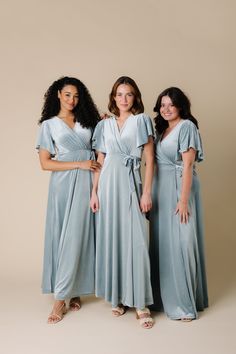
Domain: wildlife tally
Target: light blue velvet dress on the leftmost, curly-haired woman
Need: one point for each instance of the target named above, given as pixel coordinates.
(69, 252)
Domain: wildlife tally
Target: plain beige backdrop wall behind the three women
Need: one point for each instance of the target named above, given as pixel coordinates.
(159, 43)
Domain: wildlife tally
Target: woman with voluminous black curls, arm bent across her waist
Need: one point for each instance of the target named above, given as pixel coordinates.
(69, 117)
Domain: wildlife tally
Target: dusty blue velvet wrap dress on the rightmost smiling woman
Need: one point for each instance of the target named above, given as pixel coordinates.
(179, 247)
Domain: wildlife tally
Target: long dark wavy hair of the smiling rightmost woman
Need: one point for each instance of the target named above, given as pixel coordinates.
(180, 101)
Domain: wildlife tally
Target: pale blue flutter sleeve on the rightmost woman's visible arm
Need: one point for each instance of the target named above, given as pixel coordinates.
(189, 137)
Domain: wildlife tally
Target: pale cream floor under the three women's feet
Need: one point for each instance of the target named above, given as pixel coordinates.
(23, 328)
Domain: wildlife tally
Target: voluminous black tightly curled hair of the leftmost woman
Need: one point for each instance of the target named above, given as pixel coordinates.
(85, 112)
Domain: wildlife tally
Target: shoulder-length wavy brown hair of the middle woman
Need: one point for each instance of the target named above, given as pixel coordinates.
(138, 104)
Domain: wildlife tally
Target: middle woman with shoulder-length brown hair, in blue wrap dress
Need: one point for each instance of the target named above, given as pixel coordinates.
(122, 260)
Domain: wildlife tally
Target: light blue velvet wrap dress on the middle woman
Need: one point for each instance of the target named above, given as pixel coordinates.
(122, 259)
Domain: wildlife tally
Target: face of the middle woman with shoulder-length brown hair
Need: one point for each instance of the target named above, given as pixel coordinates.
(124, 98)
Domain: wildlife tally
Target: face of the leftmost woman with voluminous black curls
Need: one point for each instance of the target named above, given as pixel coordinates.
(69, 97)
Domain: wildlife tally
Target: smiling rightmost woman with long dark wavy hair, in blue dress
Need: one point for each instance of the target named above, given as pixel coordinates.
(176, 217)
